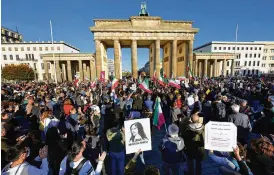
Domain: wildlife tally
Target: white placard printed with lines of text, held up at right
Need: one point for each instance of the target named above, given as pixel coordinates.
(220, 136)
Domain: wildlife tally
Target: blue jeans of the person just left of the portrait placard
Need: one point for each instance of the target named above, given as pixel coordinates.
(117, 163)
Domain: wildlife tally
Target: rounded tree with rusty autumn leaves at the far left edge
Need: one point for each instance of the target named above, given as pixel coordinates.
(19, 72)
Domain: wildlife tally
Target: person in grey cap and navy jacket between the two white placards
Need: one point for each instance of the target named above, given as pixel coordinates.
(172, 150)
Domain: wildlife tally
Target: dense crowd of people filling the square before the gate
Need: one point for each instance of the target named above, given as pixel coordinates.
(67, 128)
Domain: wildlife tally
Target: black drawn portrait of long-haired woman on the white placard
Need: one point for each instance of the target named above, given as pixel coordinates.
(137, 133)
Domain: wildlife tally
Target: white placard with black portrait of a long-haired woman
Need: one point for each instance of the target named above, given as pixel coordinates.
(137, 135)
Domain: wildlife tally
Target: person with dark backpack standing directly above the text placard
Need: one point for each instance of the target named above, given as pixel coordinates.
(218, 110)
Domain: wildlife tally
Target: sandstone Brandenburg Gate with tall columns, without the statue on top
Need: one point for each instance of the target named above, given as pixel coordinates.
(175, 37)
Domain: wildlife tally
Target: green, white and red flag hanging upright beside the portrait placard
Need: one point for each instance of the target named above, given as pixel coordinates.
(158, 116)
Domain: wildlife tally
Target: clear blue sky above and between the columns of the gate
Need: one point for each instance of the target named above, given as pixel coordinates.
(71, 19)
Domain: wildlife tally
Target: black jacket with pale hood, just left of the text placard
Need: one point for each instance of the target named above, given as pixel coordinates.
(194, 141)
